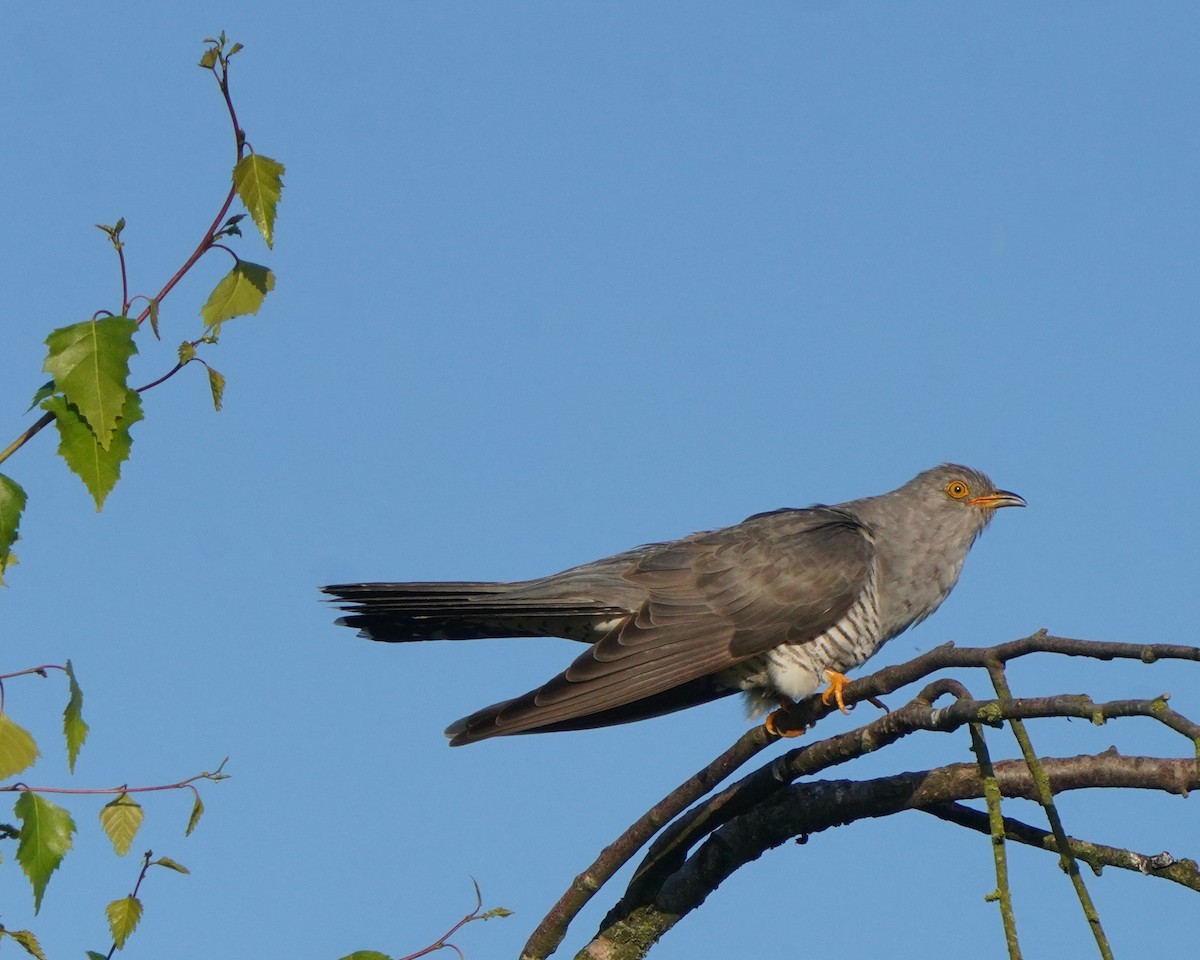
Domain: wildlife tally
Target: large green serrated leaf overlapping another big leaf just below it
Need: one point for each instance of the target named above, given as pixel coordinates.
(91, 365)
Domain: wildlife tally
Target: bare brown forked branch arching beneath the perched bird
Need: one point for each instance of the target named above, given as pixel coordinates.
(674, 880)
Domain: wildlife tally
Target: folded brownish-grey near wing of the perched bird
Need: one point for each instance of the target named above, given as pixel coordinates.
(712, 601)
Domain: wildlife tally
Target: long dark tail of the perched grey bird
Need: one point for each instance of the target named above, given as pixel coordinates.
(403, 613)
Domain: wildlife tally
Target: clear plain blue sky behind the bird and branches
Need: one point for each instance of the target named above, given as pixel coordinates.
(556, 280)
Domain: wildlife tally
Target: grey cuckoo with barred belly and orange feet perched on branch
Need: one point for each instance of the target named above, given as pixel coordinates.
(772, 608)
